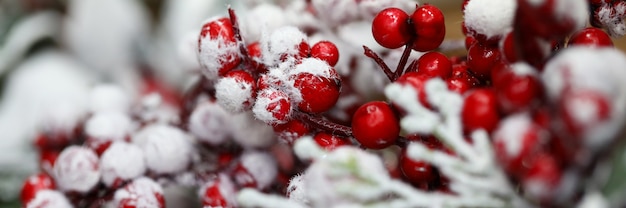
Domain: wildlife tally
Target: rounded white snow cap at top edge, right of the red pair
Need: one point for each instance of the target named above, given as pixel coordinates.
(490, 18)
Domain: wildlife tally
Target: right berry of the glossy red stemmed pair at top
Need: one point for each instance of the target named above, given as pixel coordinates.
(429, 26)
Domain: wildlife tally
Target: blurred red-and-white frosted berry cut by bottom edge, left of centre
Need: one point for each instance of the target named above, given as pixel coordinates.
(219, 192)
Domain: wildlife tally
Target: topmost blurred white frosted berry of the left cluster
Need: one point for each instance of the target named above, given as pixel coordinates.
(109, 97)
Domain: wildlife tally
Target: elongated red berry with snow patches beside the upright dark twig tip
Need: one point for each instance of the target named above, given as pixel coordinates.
(218, 49)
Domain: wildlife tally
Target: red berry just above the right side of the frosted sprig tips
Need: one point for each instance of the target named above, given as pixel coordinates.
(480, 110)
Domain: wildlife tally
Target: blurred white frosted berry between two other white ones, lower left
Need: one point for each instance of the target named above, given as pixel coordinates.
(120, 162)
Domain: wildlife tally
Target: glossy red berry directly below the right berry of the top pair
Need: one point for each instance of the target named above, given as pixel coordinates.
(434, 64)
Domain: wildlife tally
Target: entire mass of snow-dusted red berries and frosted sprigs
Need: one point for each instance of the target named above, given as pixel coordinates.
(277, 118)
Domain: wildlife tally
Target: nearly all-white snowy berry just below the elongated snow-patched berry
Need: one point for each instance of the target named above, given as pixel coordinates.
(234, 95)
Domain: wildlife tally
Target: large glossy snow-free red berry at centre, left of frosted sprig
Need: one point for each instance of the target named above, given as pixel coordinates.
(375, 125)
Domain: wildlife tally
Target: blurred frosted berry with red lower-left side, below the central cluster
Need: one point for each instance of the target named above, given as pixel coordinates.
(255, 169)
